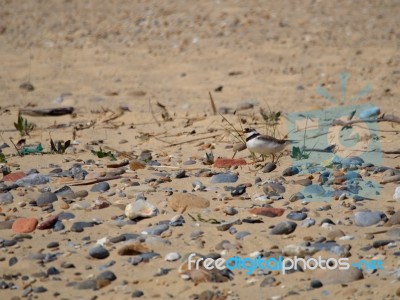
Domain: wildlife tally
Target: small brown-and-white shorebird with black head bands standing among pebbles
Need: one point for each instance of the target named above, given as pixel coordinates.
(263, 144)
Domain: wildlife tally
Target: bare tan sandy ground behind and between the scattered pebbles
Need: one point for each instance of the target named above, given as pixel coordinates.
(130, 53)
